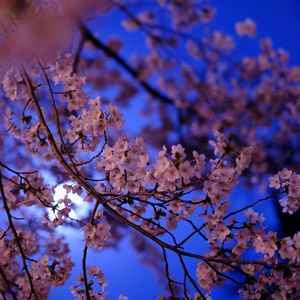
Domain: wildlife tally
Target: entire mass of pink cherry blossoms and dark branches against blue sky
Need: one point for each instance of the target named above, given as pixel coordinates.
(182, 198)
